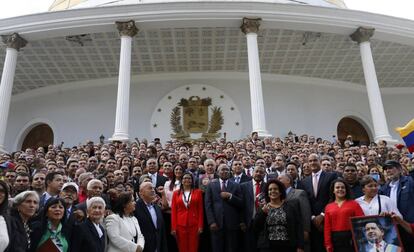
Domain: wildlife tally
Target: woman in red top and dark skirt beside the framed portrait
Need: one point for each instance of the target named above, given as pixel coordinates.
(338, 237)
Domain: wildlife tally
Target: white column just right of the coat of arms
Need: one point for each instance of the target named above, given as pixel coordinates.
(250, 27)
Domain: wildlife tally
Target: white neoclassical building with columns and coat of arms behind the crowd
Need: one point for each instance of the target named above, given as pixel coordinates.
(157, 68)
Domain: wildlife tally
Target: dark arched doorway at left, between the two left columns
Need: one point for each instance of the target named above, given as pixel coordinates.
(39, 136)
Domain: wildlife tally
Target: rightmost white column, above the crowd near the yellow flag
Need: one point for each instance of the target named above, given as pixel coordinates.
(362, 36)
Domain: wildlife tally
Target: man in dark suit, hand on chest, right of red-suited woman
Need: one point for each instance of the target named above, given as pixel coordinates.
(223, 202)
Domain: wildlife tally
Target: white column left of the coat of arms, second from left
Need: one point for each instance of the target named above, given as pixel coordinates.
(126, 30)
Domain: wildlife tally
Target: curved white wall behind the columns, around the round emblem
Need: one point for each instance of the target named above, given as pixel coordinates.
(85, 110)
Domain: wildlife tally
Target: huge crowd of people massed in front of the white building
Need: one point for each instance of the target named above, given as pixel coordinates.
(294, 194)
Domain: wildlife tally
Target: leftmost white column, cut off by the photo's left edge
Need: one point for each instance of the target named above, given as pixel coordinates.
(14, 42)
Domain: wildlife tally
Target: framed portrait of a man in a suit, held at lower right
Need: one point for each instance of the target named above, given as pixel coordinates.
(375, 234)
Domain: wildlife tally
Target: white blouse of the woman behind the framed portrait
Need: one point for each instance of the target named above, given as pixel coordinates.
(372, 208)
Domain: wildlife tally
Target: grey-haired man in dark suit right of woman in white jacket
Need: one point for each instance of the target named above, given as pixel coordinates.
(150, 220)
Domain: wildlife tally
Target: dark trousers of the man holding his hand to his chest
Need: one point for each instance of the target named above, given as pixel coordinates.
(224, 240)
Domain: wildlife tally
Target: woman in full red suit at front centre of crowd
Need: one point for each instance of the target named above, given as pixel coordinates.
(187, 215)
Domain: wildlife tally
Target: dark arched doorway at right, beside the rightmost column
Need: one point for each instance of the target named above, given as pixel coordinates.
(349, 126)
